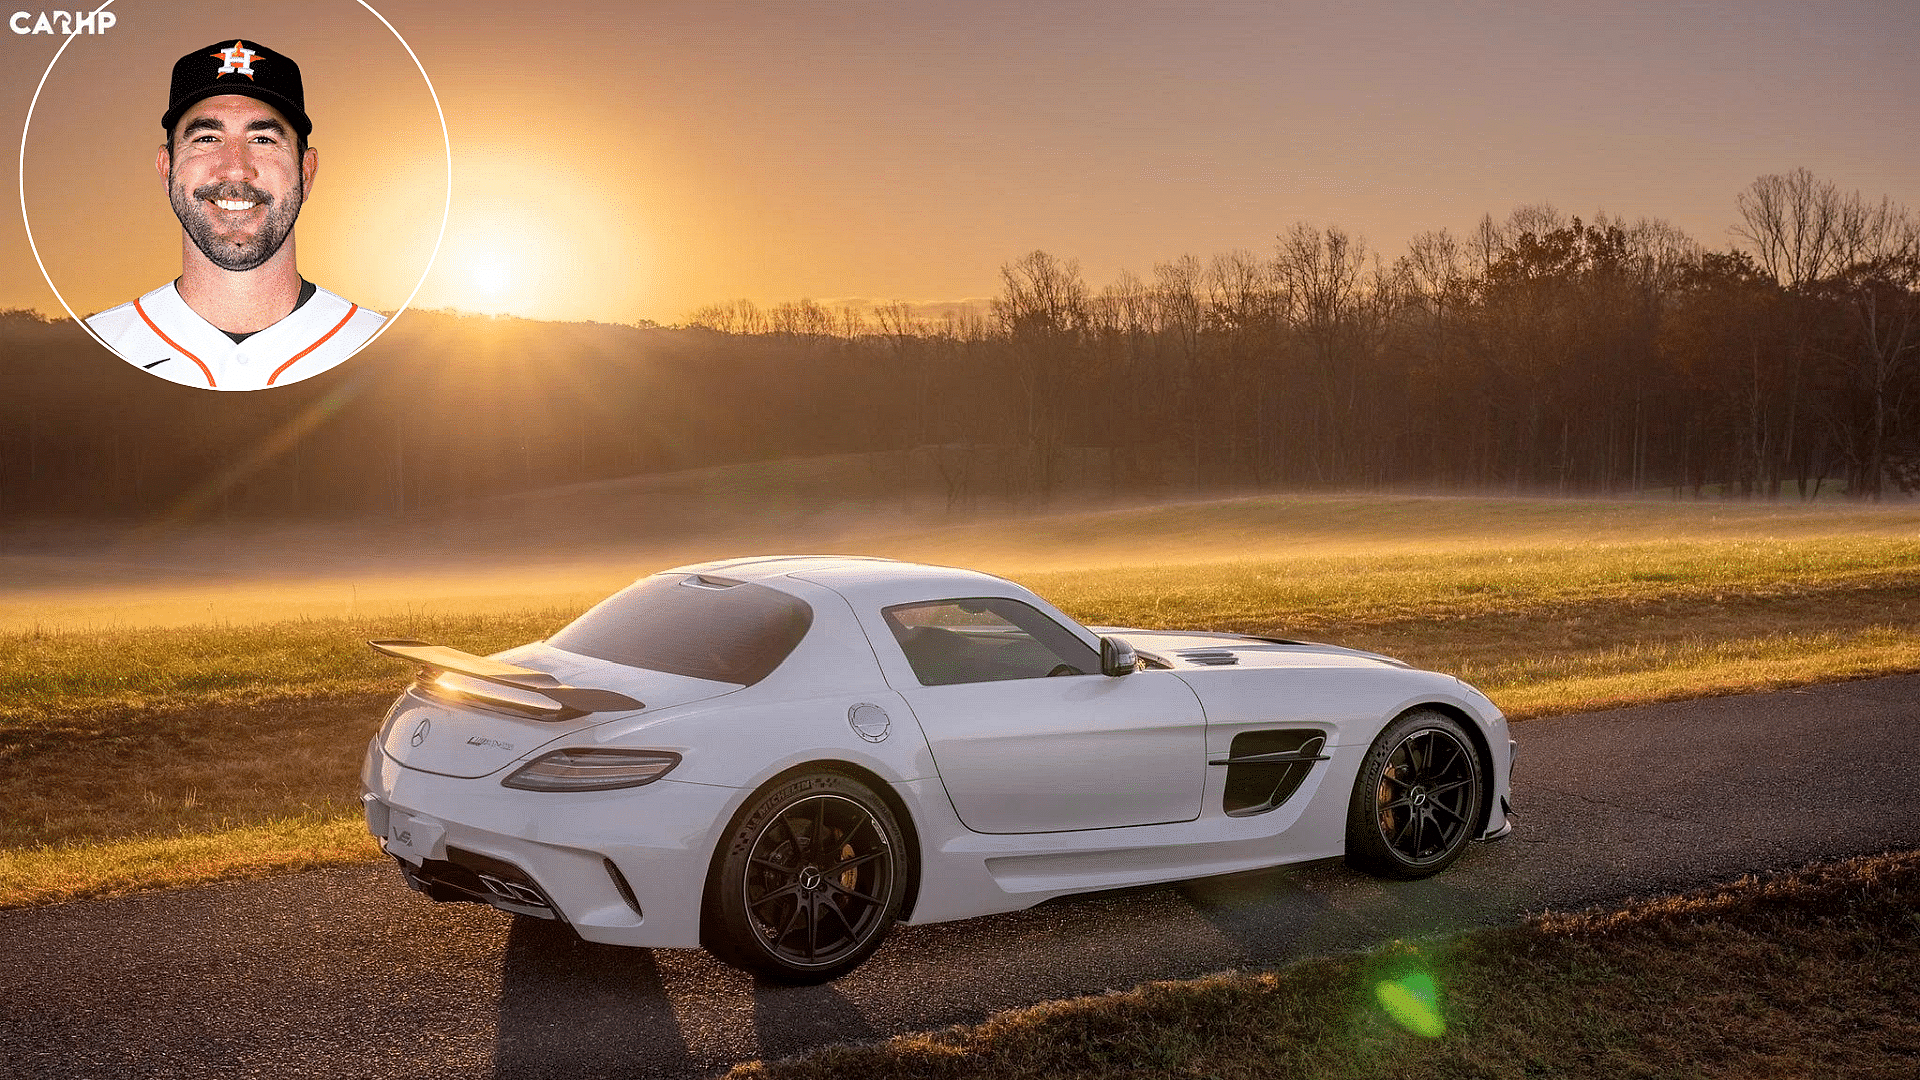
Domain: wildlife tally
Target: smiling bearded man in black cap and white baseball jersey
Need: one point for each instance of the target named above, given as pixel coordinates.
(237, 170)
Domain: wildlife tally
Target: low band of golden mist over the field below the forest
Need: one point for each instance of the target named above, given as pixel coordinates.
(571, 547)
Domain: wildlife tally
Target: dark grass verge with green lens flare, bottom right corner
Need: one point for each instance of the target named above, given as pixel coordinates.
(1787, 977)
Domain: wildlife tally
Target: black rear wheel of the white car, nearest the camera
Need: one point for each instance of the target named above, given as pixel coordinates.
(809, 879)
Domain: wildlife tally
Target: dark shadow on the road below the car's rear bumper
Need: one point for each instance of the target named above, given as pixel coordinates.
(571, 1008)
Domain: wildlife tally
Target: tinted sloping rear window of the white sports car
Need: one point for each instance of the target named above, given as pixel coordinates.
(692, 626)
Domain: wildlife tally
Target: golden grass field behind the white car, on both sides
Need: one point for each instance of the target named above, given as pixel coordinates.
(172, 752)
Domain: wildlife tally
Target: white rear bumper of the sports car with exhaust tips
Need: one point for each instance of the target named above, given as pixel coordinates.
(631, 873)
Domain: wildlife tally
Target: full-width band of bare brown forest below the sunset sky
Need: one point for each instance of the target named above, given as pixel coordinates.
(1537, 355)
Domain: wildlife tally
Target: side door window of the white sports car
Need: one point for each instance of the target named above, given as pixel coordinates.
(986, 641)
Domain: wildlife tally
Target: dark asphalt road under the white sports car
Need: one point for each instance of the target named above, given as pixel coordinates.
(347, 973)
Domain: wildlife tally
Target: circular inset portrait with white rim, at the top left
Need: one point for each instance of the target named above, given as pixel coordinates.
(235, 201)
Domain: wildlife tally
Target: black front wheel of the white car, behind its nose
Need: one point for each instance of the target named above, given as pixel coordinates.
(1418, 798)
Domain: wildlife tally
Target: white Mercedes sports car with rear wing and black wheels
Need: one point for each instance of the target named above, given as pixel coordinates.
(780, 758)
